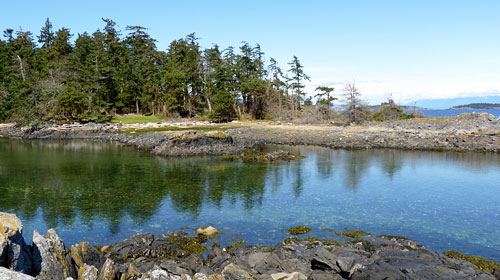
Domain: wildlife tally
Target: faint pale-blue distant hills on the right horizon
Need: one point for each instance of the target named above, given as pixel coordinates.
(451, 102)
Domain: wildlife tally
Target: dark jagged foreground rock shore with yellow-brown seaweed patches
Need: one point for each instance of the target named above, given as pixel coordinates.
(181, 256)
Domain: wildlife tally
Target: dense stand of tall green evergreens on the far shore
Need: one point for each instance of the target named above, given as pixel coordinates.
(51, 77)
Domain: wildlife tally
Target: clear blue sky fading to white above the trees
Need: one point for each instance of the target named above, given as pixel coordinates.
(405, 50)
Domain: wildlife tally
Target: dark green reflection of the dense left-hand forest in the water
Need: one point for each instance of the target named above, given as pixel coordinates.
(111, 182)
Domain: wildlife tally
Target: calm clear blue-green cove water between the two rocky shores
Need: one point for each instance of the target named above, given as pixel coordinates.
(103, 193)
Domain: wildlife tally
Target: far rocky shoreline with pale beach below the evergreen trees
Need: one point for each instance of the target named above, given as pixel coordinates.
(466, 132)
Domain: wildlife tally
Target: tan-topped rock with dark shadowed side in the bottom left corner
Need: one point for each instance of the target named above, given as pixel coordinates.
(14, 254)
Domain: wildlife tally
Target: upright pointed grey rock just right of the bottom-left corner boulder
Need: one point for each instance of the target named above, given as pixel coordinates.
(51, 260)
